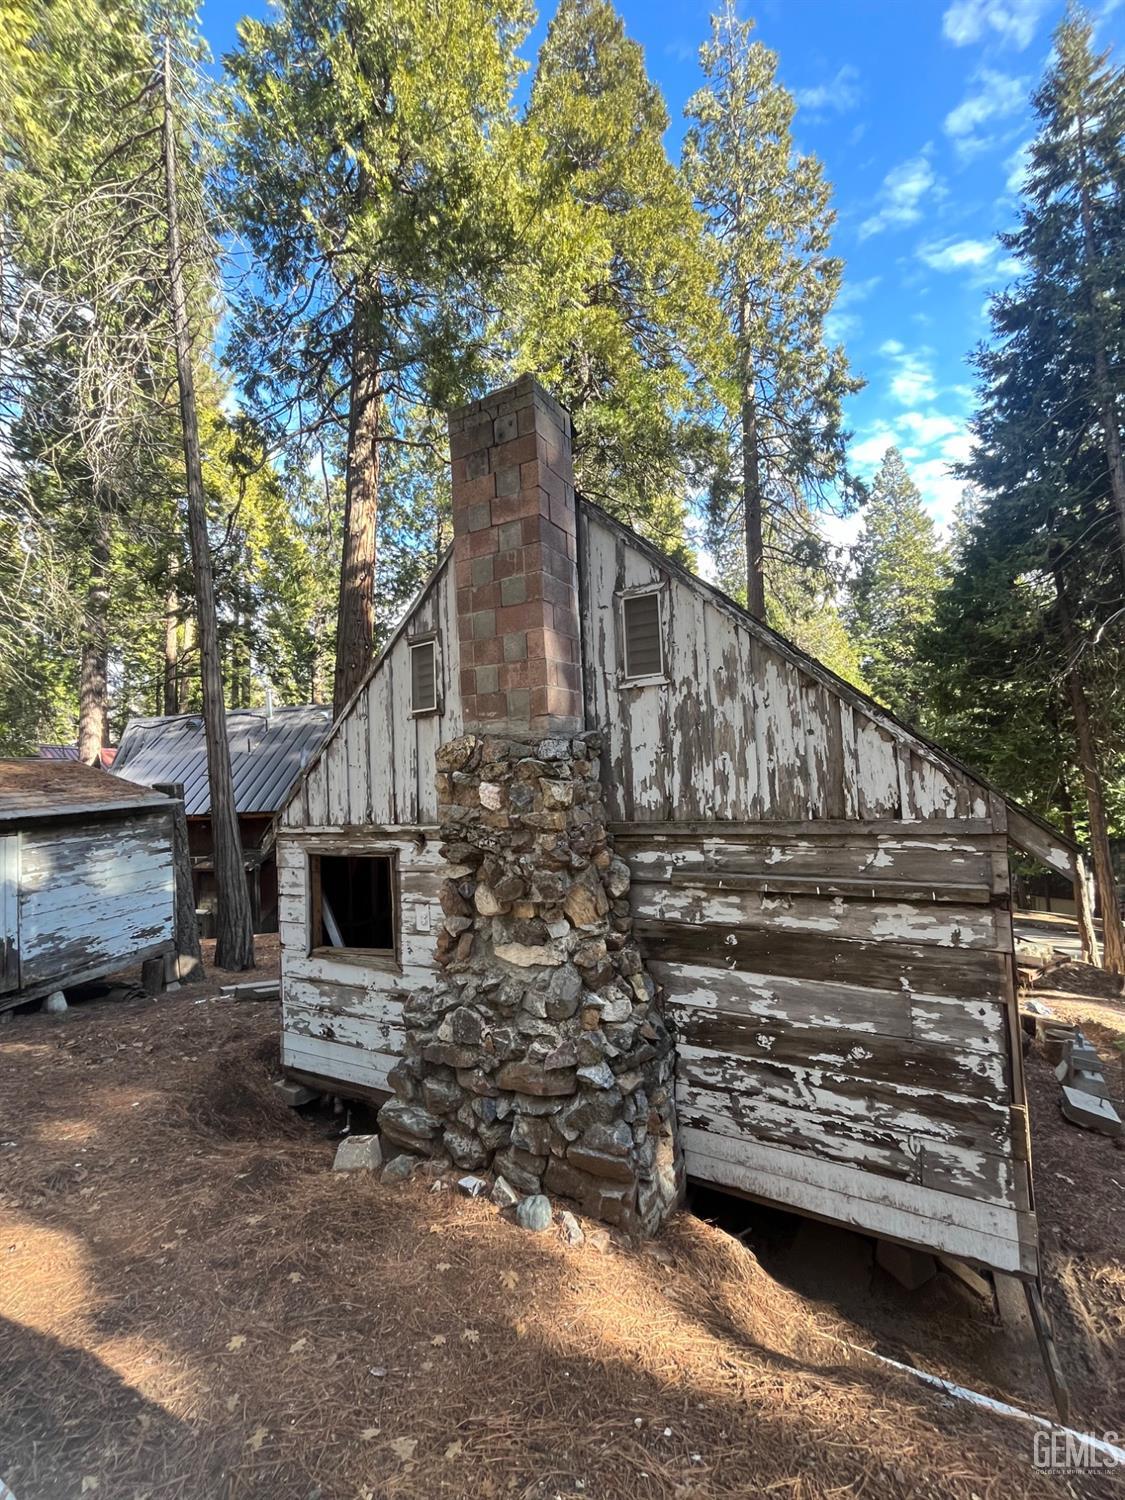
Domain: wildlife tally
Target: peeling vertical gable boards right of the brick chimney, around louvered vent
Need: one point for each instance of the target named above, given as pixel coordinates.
(743, 728)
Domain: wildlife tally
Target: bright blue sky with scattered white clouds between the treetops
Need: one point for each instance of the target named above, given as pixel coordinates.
(919, 110)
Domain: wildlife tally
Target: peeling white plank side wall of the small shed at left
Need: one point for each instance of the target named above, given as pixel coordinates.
(92, 893)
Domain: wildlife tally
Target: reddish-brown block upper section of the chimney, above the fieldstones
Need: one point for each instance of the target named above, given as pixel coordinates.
(515, 548)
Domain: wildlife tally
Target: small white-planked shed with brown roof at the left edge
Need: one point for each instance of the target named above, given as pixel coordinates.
(86, 877)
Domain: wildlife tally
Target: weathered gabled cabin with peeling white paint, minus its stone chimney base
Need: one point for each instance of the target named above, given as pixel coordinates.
(821, 893)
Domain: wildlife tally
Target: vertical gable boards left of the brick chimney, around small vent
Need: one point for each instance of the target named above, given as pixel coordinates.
(377, 766)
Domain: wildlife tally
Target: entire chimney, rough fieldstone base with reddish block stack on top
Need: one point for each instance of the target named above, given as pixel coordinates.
(542, 1055)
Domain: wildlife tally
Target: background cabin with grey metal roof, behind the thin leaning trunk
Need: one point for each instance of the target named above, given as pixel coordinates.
(269, 751)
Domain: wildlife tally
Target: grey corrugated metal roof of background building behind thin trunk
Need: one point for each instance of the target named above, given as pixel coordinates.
(268, 754)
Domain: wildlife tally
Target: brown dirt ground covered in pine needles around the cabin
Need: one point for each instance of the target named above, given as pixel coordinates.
(194, 1306)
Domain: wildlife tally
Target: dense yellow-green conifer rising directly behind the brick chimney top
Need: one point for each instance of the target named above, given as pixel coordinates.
(611, 305)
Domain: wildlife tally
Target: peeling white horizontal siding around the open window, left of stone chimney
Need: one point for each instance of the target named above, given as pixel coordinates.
(343, 1018)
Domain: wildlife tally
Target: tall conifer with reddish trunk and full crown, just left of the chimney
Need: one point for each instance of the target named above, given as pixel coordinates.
(368, 182)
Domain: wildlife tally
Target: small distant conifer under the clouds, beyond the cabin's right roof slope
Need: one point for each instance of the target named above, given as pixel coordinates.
(901, 568)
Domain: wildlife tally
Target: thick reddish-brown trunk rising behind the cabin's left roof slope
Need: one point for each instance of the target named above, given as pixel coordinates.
(356, 605)
